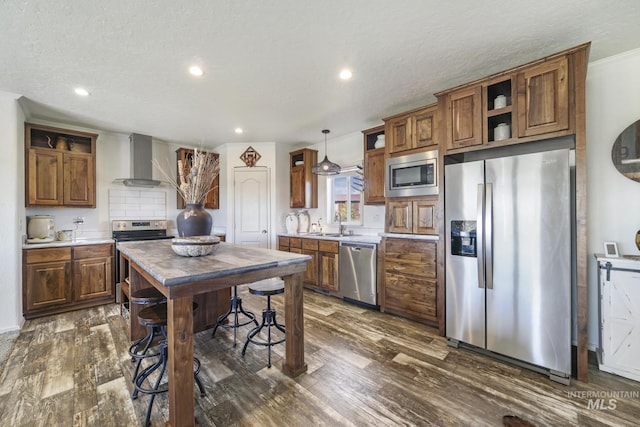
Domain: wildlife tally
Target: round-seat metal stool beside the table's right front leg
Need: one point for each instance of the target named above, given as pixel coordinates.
(268, 288)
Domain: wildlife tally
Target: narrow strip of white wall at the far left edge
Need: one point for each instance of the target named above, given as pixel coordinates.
(11, 211)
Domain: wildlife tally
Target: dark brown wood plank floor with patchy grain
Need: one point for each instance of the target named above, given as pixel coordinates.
(365, 368)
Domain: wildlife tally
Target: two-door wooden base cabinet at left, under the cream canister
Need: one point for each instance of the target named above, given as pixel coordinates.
(68, 278)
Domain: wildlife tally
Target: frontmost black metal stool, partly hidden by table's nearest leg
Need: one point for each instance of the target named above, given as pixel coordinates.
(155, 316)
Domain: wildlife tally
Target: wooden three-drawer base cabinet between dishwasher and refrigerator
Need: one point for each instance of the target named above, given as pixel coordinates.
(410, 280)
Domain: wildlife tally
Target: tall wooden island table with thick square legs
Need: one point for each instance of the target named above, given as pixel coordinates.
(181, 278)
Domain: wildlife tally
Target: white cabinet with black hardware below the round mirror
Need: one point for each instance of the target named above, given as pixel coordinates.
(619, 316)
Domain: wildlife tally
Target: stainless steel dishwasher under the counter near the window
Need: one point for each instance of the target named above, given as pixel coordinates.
(358, 272)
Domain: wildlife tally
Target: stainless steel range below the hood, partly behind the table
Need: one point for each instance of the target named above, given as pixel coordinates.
(131, 231)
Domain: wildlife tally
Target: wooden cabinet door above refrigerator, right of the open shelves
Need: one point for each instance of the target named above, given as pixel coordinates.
(543, 98)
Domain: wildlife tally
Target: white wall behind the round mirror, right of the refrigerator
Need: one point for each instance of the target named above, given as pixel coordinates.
(613, 103)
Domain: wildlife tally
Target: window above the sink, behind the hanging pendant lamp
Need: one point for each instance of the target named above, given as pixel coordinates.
(344, 194)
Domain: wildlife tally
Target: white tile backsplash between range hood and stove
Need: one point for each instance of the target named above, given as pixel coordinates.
(137, 204)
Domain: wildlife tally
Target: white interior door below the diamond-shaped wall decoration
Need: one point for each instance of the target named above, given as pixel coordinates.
(251, 207)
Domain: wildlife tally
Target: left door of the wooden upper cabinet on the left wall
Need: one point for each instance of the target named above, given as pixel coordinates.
(45, 178)
